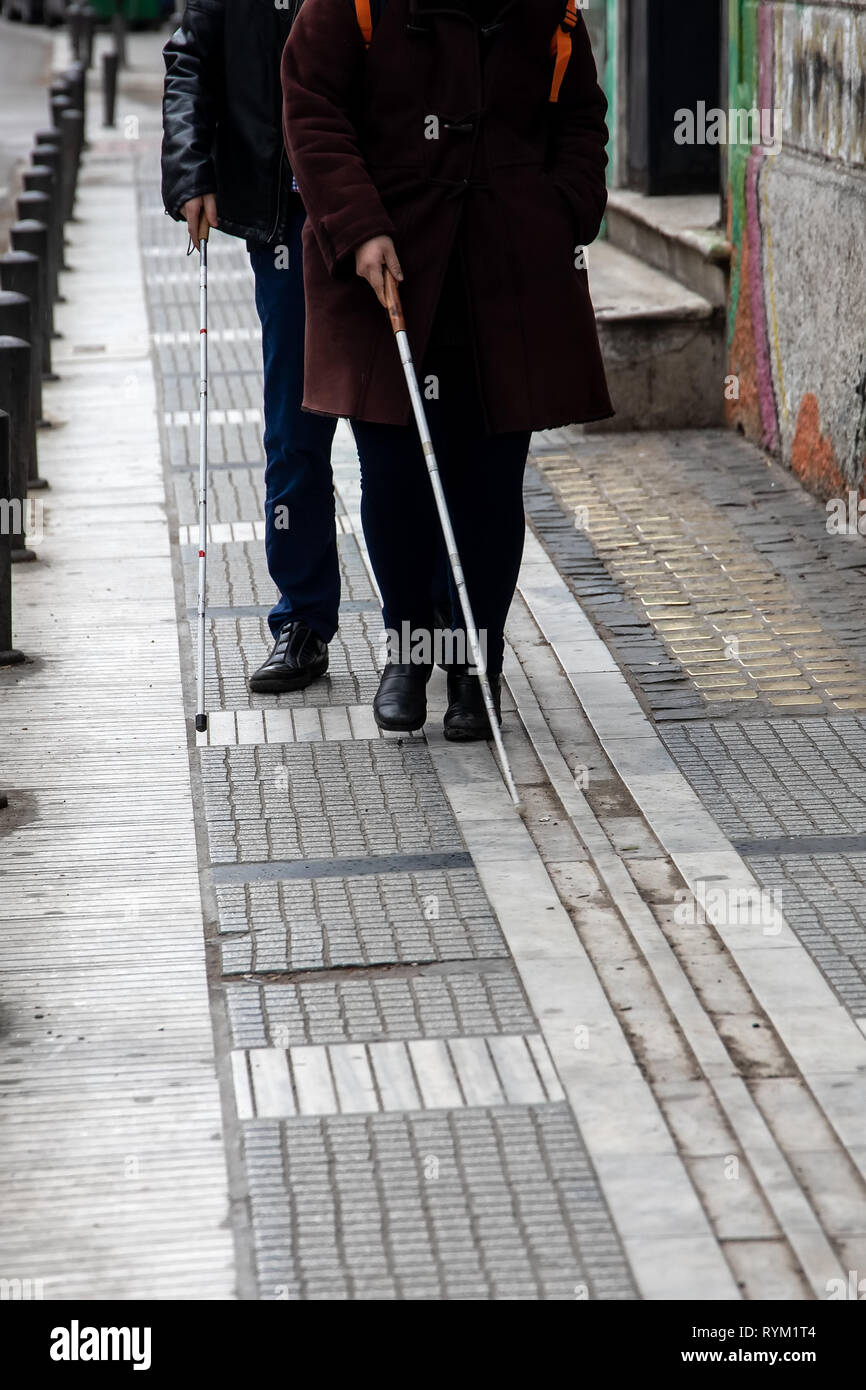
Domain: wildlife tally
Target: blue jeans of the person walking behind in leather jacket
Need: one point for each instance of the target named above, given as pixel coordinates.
(301, 533)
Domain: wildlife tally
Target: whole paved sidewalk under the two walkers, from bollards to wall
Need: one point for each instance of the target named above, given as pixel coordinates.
(300, 1011)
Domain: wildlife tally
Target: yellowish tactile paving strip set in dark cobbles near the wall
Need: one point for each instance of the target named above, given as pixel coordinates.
(724, 612)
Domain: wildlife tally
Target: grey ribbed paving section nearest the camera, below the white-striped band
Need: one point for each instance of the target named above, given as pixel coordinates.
(466, 1204)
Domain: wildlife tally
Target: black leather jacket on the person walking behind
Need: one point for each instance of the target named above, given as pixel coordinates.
(223, 113)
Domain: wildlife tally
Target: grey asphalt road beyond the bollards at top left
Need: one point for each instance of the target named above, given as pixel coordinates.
(26, 62)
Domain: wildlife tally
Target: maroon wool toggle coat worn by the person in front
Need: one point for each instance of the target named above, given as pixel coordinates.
(522, 188)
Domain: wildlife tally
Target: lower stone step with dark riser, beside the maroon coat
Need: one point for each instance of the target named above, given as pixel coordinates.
(664, 345)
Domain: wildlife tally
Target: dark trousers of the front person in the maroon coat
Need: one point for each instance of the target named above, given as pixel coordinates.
(483, 482)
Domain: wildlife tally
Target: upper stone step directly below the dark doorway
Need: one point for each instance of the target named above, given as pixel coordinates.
(676, 236)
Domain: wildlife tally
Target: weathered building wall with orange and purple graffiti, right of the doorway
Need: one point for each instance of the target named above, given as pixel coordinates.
(797, 219)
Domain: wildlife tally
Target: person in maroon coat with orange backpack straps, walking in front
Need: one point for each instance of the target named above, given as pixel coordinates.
(459, 148)
